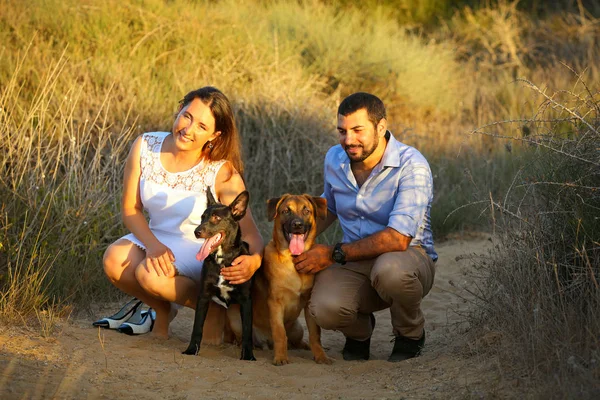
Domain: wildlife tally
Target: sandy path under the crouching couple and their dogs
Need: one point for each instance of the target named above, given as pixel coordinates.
(81, 361)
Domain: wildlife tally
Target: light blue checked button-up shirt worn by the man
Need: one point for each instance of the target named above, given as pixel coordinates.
(398, 193)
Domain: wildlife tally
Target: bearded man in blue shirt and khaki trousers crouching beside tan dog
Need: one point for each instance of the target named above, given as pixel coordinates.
(381, 192)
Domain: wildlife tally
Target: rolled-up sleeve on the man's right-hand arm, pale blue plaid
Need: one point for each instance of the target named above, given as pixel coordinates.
(415, 191)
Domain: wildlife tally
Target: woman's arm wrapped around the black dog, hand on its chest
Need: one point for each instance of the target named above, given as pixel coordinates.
(228, 185)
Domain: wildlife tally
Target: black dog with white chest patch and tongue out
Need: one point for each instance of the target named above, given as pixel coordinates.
(223, 244)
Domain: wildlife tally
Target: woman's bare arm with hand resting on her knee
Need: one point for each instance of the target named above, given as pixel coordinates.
(159, 256)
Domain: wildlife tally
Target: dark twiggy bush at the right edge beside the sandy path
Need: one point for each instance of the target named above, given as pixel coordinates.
(542, 290)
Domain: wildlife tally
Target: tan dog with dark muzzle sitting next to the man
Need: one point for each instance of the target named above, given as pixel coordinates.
(280, 293)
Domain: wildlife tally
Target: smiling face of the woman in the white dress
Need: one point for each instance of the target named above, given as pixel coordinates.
(194, 126)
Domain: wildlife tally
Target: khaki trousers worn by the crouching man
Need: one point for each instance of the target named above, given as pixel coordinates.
(343, 296)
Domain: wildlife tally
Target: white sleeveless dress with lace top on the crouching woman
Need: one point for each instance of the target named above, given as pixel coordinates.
(174, 203)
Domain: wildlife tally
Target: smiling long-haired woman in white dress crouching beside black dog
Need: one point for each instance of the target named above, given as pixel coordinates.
(167, 175)
